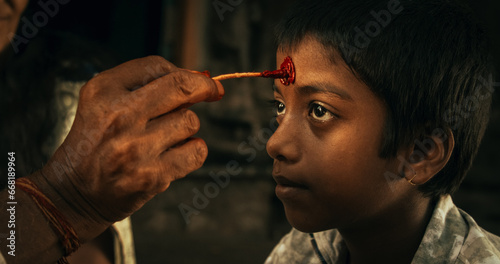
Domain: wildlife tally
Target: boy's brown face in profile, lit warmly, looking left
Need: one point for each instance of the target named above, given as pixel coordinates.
(326, 147)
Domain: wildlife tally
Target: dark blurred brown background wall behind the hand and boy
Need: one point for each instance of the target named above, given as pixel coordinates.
(237, 222)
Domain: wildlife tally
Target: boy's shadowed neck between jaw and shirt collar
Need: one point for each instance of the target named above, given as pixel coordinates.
(393, 238)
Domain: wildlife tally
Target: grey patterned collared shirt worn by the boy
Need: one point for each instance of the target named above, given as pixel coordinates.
(452, 236)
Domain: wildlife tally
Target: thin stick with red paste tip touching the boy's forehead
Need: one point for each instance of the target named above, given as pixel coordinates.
(286, 73)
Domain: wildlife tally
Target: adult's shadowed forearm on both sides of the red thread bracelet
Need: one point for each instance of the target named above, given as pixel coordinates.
(34, 239)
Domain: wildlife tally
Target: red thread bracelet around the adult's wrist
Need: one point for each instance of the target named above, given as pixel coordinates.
(64, 231)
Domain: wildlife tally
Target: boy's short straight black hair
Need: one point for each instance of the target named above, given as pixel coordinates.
(427, 60)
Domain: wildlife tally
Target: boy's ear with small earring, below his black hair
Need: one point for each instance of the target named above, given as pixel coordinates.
(429, 155)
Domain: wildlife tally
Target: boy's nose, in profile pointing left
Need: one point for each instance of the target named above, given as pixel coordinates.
(284, 143)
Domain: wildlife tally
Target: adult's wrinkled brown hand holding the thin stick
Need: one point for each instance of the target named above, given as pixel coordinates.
(130, 139)
